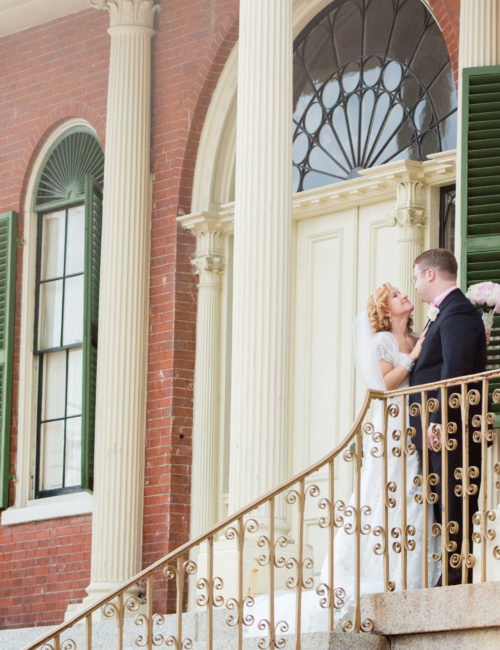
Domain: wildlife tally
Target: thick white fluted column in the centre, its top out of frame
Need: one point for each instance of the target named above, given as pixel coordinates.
(262, 249)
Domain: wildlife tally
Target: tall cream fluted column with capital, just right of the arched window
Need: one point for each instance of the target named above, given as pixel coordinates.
(123, 313)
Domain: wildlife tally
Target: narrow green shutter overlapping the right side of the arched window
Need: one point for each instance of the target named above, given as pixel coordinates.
(93, 223)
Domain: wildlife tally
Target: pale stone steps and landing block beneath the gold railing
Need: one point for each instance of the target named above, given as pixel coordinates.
(461, 617)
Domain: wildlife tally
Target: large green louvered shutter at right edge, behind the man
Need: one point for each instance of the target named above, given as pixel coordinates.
(480, 204)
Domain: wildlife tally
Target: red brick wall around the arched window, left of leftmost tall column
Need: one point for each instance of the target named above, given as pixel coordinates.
(49, 73)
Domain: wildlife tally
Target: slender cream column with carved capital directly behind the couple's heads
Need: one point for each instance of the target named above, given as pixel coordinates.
(411, 220)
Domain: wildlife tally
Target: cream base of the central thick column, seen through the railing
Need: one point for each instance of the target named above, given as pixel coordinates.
(255, 576)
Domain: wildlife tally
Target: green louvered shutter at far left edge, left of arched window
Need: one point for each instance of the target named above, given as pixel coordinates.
(8, 240)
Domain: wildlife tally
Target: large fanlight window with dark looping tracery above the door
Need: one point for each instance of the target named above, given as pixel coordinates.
(372, 84)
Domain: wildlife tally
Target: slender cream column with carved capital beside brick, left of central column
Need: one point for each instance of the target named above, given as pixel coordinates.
(208, 263)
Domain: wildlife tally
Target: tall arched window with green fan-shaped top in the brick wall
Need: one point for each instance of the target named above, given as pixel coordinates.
(68, 202)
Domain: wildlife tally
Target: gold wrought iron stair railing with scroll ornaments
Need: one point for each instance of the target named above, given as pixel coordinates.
(222, 568)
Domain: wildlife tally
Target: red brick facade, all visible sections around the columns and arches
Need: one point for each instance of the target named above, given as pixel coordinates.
(50, 74)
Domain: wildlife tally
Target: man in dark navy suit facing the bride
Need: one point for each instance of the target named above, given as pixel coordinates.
(454, 345)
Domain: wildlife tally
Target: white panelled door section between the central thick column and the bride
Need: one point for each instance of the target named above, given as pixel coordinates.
(324, 372)
